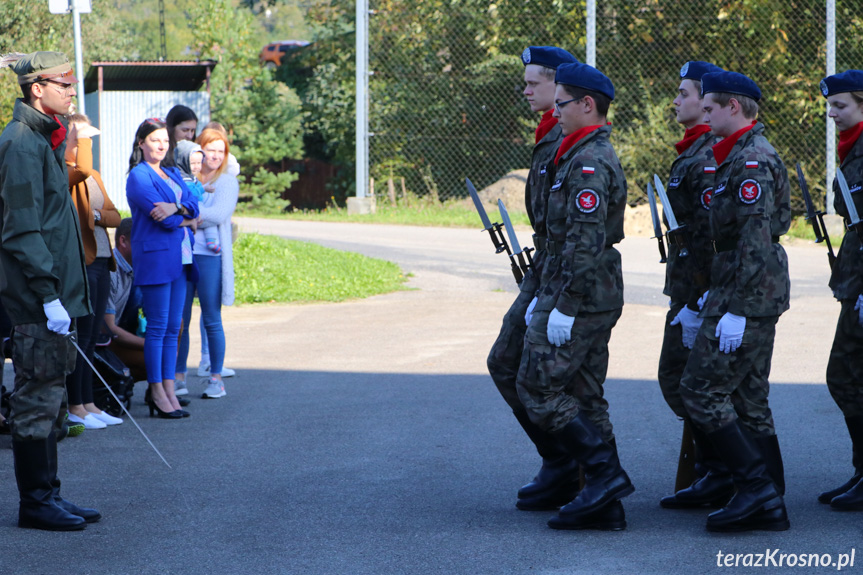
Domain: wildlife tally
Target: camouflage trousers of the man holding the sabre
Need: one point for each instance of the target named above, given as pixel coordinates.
(42, 359)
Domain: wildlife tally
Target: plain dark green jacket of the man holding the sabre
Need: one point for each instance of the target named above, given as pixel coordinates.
(42, 257)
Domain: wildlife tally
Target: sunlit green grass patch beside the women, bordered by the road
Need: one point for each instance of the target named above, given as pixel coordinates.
(272, 269)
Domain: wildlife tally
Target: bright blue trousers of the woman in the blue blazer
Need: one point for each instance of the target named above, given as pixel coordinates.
(163, 307)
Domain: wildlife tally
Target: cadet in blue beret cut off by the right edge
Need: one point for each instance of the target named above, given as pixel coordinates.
(844, 93)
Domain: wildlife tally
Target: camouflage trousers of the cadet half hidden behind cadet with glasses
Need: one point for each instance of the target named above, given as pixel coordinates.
(505, 355)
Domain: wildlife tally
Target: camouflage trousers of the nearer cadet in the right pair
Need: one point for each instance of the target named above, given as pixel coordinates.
(718, 388)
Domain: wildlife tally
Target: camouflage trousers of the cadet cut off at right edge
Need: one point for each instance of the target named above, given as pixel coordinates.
(845, 367)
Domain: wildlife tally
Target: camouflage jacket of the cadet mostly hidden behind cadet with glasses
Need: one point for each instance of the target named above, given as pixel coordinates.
(536, 198)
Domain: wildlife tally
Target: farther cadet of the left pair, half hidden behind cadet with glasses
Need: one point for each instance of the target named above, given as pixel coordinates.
(556, 483)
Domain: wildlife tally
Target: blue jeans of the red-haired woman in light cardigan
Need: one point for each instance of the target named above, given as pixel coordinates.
(209, 288)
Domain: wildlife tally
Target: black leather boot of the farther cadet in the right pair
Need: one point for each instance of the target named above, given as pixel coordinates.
(714, 488)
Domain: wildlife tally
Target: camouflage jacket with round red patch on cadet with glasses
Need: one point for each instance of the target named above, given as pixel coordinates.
(584, 219)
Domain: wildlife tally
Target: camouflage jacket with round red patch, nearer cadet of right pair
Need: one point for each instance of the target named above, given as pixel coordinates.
(750, 209)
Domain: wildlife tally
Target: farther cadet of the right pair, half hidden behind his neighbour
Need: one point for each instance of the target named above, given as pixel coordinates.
(687, 277)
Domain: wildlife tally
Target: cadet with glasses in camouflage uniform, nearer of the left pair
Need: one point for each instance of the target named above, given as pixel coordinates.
(580, 300)
